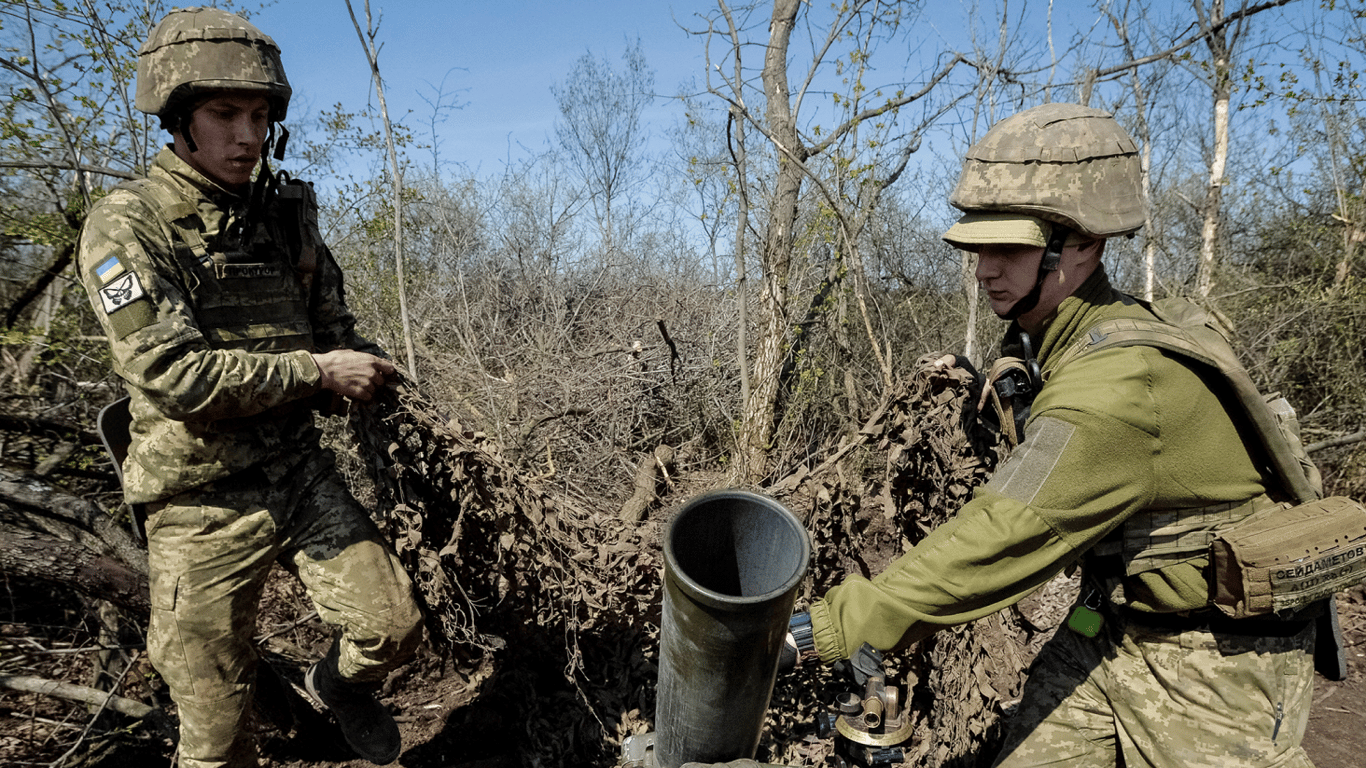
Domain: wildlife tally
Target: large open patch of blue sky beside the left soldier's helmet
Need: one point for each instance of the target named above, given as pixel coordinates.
(499, 59)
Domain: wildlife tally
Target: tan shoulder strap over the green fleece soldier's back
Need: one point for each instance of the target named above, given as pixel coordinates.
(1184, 329)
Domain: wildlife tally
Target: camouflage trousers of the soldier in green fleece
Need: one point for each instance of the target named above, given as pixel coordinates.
(1137, 698)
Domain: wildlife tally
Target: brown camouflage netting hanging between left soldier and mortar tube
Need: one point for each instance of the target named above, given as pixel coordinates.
(554, 594)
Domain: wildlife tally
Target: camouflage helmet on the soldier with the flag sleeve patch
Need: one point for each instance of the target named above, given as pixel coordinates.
(193, 53)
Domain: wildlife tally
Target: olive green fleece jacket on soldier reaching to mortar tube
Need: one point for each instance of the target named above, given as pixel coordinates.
(1115, 433)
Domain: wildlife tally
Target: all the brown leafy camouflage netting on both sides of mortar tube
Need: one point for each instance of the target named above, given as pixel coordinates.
(569, 598)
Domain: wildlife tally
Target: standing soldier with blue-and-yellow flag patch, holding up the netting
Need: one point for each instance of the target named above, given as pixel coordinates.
(227, 322)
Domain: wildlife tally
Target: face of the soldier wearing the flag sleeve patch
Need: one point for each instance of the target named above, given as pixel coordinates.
(229, 132)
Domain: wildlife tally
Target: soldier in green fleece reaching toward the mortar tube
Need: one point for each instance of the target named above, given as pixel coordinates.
(1118, 445)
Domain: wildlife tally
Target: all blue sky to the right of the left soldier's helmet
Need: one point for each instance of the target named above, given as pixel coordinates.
(501, 59)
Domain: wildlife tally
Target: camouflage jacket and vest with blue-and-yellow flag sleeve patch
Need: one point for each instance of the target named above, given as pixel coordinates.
(212, 333)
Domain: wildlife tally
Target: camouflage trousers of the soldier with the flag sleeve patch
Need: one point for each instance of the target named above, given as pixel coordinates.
(210, 551)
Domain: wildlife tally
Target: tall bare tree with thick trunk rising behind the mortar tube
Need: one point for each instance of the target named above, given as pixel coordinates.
(792, 150)
